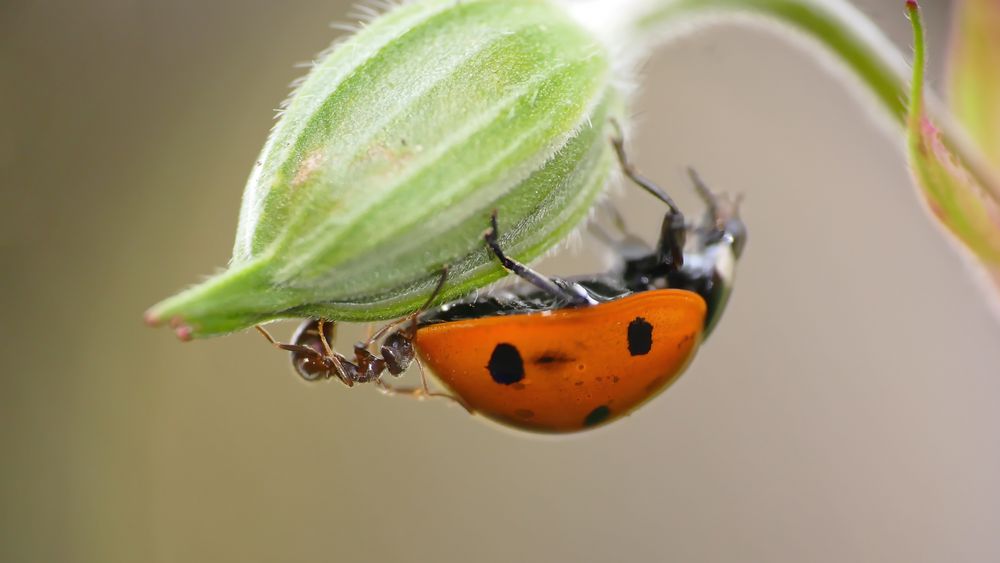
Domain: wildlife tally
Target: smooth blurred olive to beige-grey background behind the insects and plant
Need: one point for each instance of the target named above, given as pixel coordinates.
(845, 410)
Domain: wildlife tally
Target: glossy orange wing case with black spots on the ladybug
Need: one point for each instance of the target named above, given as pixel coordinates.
(571, 368)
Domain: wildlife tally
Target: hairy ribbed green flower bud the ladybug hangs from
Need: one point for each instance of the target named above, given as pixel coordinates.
(390, 157)
